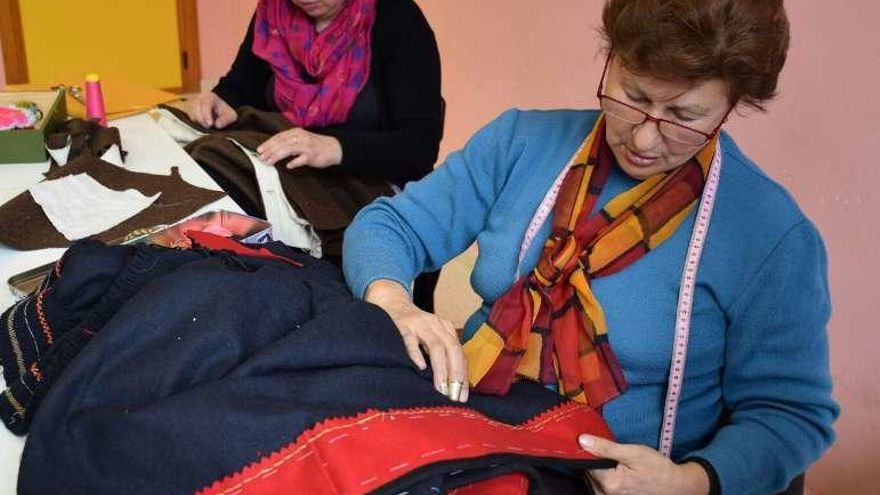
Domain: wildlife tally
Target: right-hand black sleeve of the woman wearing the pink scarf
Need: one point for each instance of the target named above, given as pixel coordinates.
(410, 84)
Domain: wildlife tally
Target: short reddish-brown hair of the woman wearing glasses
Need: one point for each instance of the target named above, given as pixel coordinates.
(743, 42)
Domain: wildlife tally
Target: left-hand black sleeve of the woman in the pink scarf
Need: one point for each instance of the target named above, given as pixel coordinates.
(247, 79)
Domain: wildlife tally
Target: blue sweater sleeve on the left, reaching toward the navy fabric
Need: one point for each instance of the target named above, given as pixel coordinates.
(433, 219)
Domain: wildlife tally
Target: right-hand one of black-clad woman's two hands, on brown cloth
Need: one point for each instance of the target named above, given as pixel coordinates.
(307, 148)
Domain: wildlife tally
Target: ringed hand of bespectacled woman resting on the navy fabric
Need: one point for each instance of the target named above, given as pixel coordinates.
(426, 330)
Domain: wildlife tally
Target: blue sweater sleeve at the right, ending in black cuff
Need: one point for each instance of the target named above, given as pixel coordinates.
(776, 382)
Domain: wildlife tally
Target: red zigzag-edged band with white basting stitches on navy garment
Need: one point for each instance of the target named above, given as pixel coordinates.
(365, 452)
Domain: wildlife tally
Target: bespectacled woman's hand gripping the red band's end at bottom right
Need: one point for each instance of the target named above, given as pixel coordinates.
(642, 470)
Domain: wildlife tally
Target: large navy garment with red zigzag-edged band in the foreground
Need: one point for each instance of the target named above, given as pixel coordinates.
(233, 373)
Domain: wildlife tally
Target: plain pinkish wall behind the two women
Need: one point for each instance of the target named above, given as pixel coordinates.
(819, 139)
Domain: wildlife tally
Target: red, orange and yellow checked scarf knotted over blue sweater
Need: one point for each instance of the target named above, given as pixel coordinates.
(549, 326)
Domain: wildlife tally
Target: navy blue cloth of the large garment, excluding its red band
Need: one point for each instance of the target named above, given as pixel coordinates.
(220, 360)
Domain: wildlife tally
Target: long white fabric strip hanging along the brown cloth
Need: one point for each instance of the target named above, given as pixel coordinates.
(287, 226)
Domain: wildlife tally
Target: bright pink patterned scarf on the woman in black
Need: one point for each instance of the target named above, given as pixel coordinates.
(317, 75)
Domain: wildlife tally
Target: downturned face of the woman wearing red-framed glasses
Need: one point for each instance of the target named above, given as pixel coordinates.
(641, 150)
